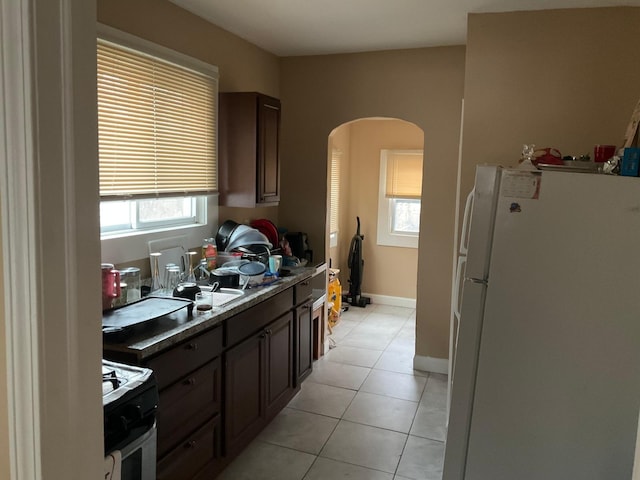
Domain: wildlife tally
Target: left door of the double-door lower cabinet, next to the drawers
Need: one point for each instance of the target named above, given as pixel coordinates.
(244, 392)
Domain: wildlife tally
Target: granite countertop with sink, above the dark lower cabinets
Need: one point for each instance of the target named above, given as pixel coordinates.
(147, 339)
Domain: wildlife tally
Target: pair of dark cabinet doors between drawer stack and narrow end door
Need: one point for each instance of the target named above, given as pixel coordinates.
(258, 382)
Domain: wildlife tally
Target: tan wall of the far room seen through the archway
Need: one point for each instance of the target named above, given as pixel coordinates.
(388, 270)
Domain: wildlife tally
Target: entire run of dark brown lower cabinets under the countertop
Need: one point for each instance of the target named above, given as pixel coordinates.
(220, 388)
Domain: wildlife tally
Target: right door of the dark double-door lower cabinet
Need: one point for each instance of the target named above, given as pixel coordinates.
(279, 380)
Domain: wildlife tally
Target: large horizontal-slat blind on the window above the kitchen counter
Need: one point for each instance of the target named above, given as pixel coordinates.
(156, 126)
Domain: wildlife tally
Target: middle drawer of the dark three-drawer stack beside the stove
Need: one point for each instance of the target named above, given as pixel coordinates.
(187, 404)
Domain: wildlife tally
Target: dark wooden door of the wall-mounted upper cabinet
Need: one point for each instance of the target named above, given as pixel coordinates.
(268, 150)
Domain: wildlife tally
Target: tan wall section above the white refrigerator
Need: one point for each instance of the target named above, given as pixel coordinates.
(572, 84)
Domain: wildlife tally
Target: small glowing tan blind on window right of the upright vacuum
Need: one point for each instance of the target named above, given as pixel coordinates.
(404, 175)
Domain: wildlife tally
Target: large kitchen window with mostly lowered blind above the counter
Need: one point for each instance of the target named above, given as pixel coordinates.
(157, 135)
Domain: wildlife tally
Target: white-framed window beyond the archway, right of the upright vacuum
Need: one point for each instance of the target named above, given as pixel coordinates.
(400, 197)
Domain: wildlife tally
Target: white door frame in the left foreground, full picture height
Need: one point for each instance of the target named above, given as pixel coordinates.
(50, 239)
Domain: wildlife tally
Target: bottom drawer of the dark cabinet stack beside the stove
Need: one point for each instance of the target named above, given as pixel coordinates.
(198, 450)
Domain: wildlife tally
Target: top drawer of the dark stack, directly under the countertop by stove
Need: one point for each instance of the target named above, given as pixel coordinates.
(186, 357)
